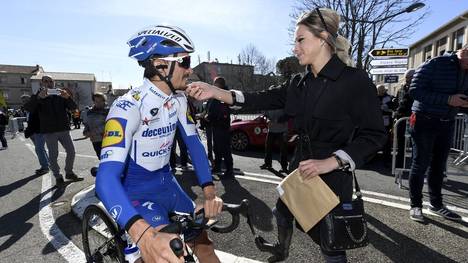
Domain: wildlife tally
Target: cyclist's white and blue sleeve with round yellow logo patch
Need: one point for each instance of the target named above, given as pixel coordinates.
(121, 123)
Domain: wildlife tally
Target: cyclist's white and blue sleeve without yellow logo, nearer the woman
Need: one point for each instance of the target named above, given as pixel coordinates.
(188, 130)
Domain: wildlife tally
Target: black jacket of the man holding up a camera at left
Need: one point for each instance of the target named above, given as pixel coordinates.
(52, 112)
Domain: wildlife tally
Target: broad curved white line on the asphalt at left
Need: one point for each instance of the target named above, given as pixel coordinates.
(61, 243)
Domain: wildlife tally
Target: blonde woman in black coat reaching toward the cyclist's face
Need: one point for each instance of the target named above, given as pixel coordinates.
(334, 107)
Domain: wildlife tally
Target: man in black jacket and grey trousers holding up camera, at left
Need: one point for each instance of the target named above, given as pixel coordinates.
(52, 105)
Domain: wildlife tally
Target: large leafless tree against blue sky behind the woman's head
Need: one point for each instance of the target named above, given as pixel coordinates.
(364, 23)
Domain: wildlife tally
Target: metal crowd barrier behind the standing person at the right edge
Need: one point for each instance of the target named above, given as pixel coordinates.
(459, 145)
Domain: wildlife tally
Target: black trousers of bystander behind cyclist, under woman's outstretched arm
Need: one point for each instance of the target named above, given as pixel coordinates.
(222, 148)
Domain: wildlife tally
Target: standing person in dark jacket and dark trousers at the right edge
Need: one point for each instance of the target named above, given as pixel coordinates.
(439, 89)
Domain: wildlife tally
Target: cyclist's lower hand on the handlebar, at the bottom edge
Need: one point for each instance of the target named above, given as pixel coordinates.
(154, 245)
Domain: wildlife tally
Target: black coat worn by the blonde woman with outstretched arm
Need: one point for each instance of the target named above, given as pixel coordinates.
(338, 109)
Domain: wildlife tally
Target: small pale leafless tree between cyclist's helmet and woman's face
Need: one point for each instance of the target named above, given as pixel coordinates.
(250, 55)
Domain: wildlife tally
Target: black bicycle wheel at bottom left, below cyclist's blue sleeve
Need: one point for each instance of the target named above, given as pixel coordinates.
(101, 240)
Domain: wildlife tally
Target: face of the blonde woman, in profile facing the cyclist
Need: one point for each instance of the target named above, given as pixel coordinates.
(306, 45)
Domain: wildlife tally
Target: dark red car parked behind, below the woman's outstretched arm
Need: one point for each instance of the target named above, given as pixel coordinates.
(245, 133)
